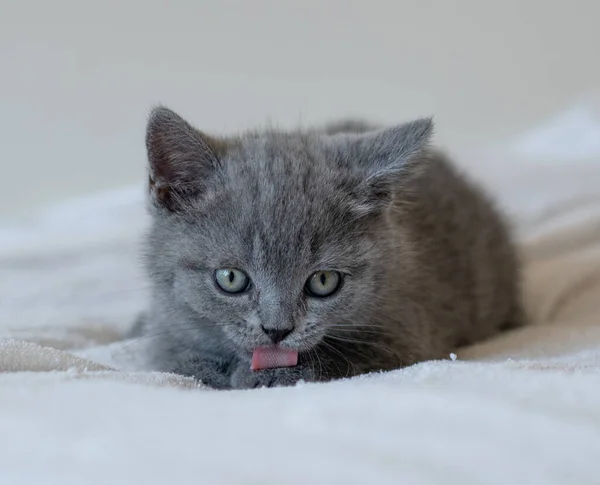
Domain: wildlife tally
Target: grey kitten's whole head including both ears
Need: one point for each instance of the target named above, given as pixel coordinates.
(276, 237)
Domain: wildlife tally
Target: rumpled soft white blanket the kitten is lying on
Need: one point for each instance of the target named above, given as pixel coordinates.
(523, 408)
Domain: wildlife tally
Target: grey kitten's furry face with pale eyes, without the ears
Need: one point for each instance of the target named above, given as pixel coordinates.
(278, 215)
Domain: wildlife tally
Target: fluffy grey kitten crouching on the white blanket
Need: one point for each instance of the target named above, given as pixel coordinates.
(361, 248)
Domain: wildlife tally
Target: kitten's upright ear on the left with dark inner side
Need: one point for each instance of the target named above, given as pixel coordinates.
(181, 159)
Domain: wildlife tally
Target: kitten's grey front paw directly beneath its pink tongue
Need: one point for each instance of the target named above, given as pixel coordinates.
(244, 378)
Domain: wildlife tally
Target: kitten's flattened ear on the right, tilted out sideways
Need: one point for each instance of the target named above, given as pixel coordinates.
(386, 158)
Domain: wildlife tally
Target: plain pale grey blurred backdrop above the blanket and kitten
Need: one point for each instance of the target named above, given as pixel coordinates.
(77, 79)
